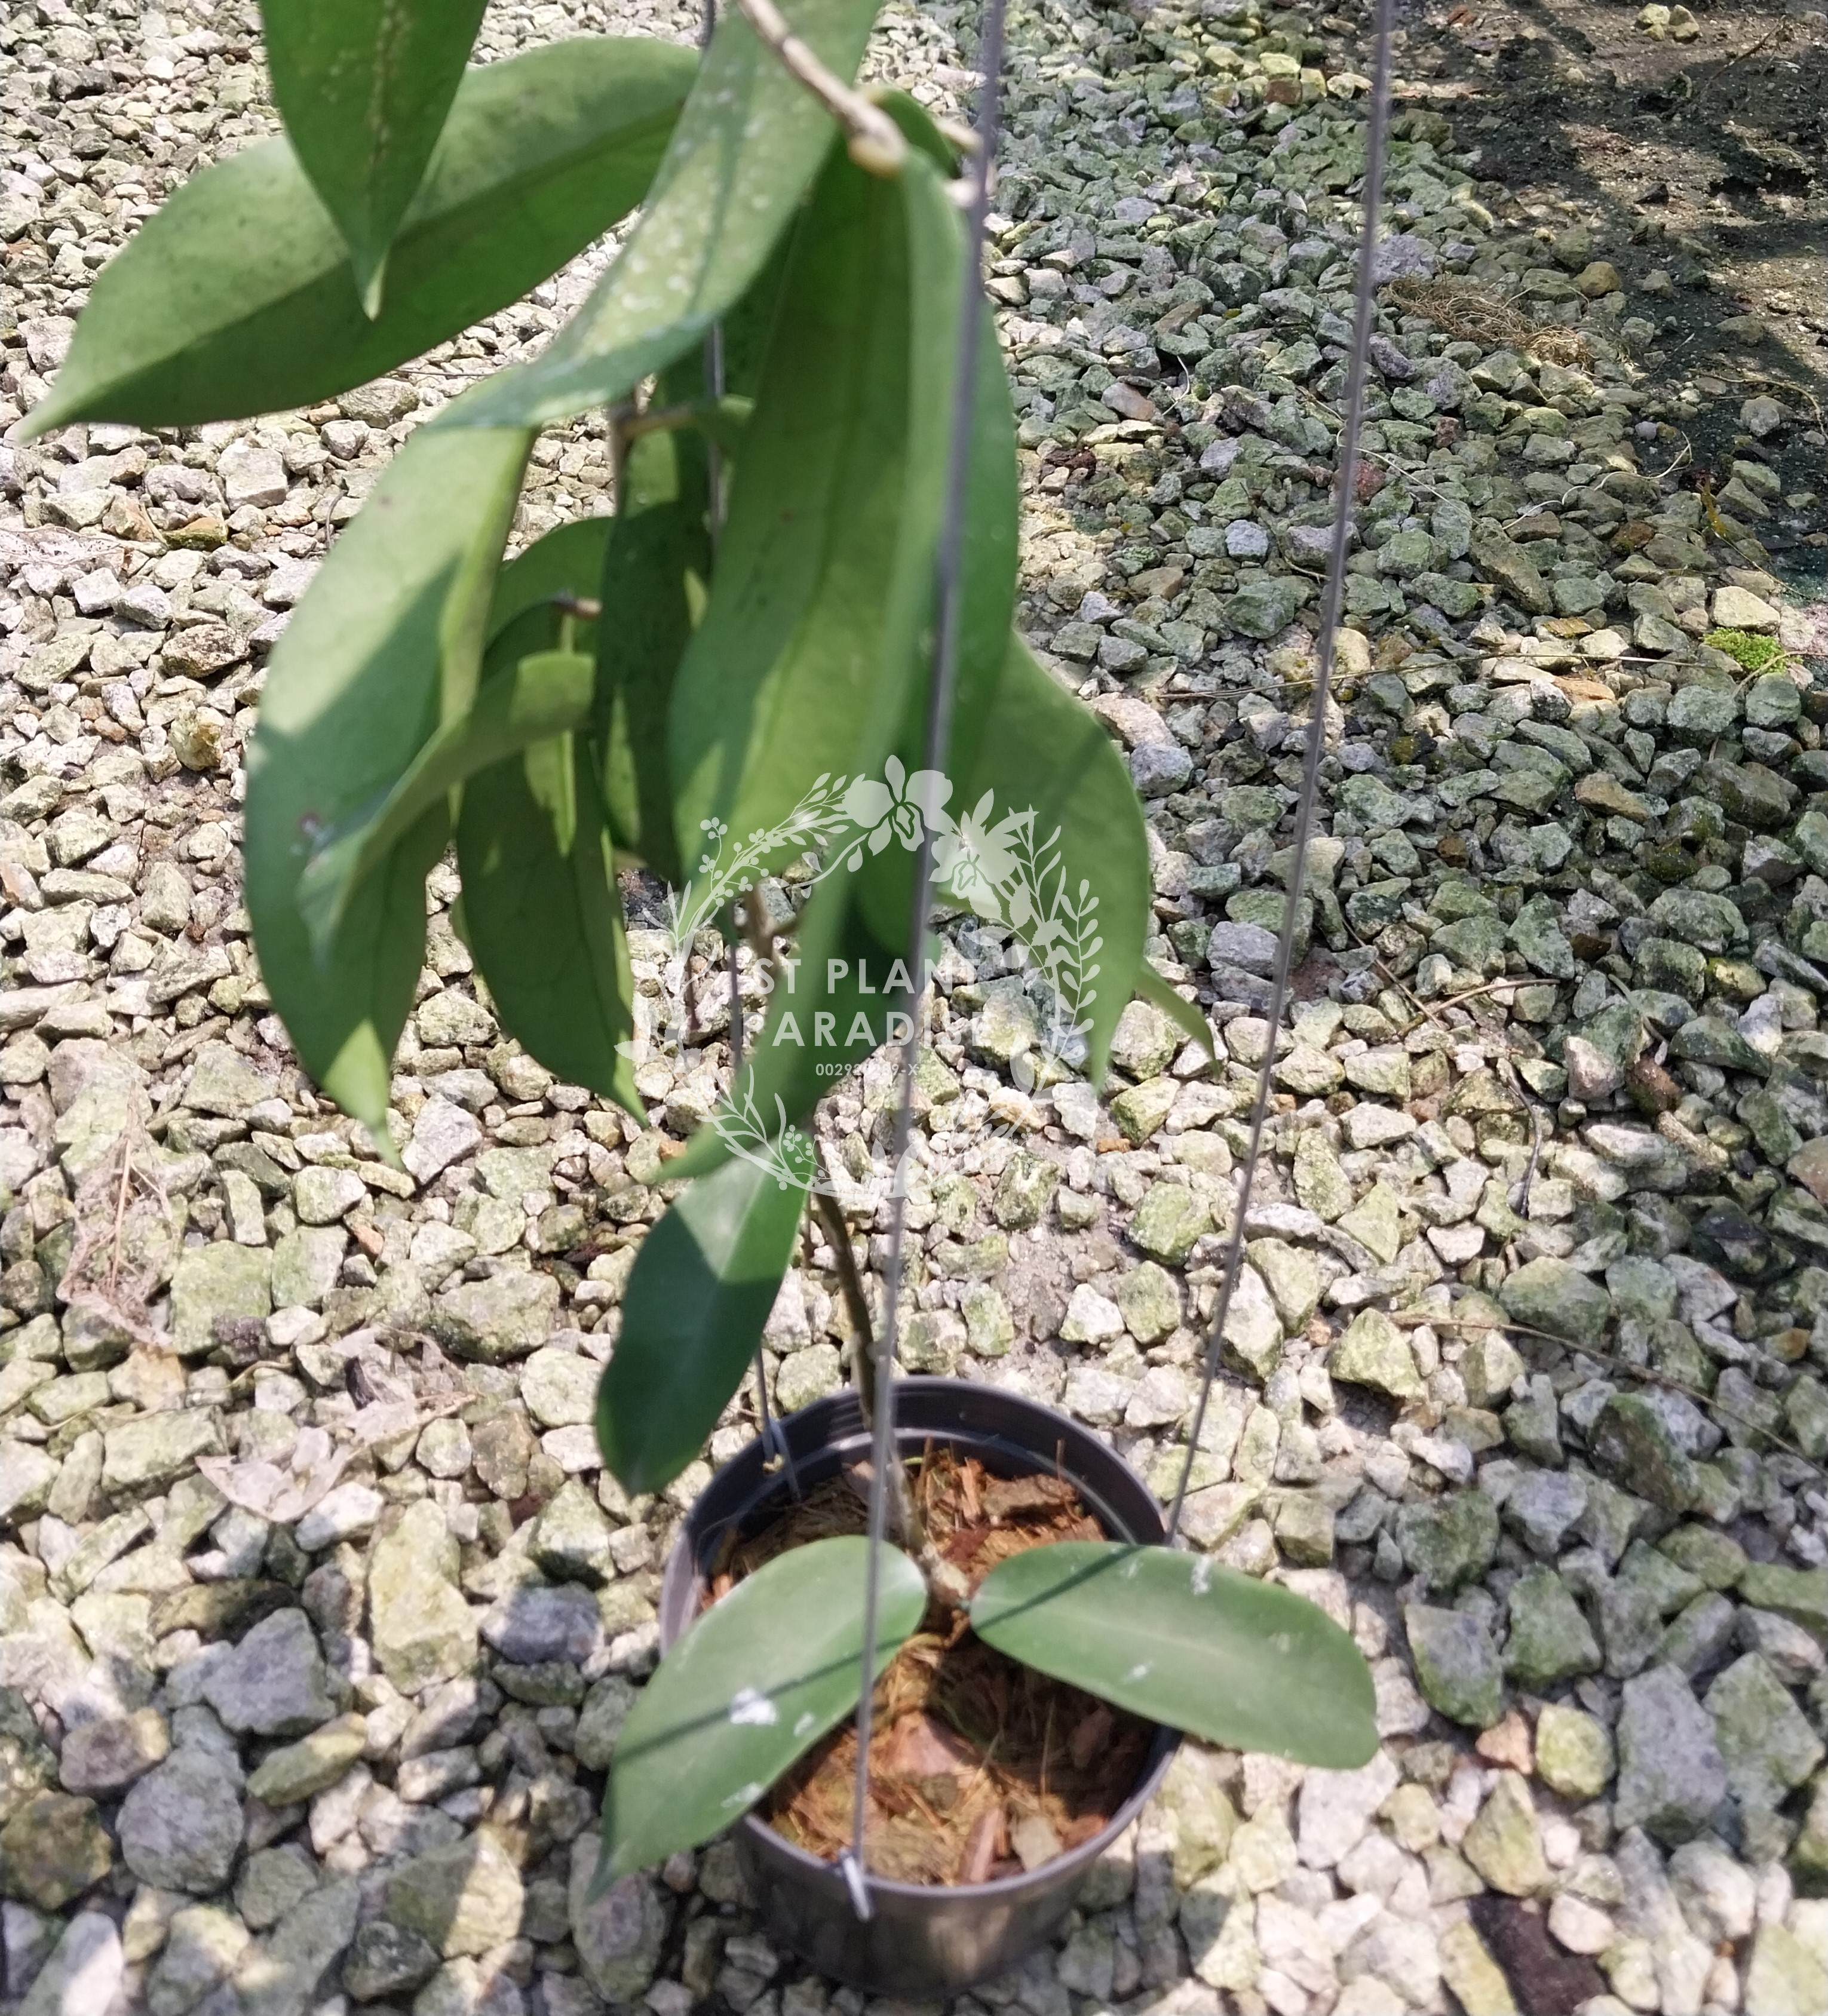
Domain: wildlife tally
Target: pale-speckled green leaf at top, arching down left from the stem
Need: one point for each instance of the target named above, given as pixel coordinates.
(747, 148)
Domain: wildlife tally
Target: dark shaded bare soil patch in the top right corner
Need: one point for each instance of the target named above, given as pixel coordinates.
(1702, 170)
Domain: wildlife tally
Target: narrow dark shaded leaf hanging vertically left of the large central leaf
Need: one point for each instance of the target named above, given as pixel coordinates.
(656, 574)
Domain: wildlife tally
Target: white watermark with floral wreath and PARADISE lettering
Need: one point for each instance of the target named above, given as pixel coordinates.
(999, 866)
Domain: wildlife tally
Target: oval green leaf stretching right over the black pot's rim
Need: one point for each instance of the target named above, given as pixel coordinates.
(1180, 1640)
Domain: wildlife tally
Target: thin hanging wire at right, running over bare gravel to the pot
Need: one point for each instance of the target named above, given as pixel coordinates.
(1363, 307)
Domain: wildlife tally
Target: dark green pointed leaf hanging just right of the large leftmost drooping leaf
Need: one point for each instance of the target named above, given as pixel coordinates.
(543, 912)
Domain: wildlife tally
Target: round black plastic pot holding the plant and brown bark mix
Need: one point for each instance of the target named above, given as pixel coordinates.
(924, 1940)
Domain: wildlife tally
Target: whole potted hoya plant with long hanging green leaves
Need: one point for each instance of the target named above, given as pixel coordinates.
(721, 682)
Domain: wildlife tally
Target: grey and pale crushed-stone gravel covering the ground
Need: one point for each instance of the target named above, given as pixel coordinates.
(317, 1616)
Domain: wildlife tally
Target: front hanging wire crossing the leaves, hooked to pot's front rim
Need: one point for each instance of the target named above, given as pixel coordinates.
(940, 699)
